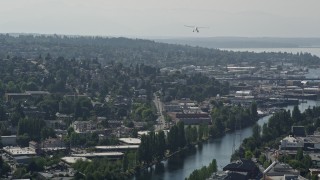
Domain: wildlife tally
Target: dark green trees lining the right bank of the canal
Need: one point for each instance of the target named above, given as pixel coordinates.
(269, 135)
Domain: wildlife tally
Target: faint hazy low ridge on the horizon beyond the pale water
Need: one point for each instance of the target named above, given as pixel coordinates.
(244, 42)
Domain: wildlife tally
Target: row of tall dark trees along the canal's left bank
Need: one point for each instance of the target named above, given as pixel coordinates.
(193, 136)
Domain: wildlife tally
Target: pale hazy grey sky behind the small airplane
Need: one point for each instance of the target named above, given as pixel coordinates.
(139, 18)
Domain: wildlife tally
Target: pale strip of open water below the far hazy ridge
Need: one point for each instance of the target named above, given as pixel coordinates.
(314, 51)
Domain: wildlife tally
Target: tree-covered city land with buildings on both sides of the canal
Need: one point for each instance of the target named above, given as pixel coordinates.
(82, 107)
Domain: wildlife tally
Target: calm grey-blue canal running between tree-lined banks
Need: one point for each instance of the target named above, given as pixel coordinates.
(219, 149)
